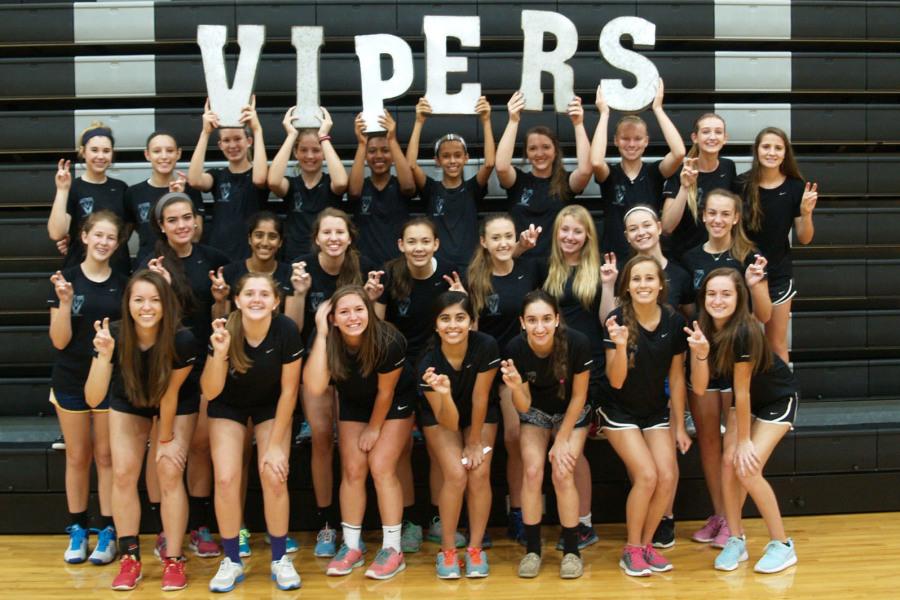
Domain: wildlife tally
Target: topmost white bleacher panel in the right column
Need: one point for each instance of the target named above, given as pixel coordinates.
(753, 19)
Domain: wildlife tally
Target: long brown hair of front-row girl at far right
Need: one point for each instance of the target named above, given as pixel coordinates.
(742, 324)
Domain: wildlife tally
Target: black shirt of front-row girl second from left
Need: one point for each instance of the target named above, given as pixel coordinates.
(261, 384)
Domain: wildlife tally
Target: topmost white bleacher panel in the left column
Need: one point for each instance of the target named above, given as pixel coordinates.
(114, 22)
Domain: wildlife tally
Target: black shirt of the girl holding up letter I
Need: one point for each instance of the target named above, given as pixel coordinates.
(302, 205)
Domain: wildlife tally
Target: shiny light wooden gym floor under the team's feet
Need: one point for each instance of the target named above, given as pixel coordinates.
(841, 557)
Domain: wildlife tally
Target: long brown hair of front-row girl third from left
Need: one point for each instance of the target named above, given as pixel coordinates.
(376, 338)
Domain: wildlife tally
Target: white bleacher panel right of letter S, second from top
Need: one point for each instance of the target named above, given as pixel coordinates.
(753, 71)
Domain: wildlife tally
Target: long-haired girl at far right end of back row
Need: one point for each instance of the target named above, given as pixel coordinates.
(777, 200)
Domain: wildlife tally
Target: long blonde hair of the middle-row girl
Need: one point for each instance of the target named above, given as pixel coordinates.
(587, 272)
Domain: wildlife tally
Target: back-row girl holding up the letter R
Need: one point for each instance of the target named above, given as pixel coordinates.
(535, 197)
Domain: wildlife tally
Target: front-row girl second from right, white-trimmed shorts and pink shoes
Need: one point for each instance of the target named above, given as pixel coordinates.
(645, 344)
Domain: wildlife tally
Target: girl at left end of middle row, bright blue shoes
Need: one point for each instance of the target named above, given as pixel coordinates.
(81, 295)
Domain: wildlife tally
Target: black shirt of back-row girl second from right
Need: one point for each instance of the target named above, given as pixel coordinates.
(689, 233)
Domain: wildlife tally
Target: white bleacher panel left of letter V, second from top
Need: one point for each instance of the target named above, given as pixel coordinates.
(104, 76)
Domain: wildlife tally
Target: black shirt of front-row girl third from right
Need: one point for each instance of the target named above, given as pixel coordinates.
(538, 372)
